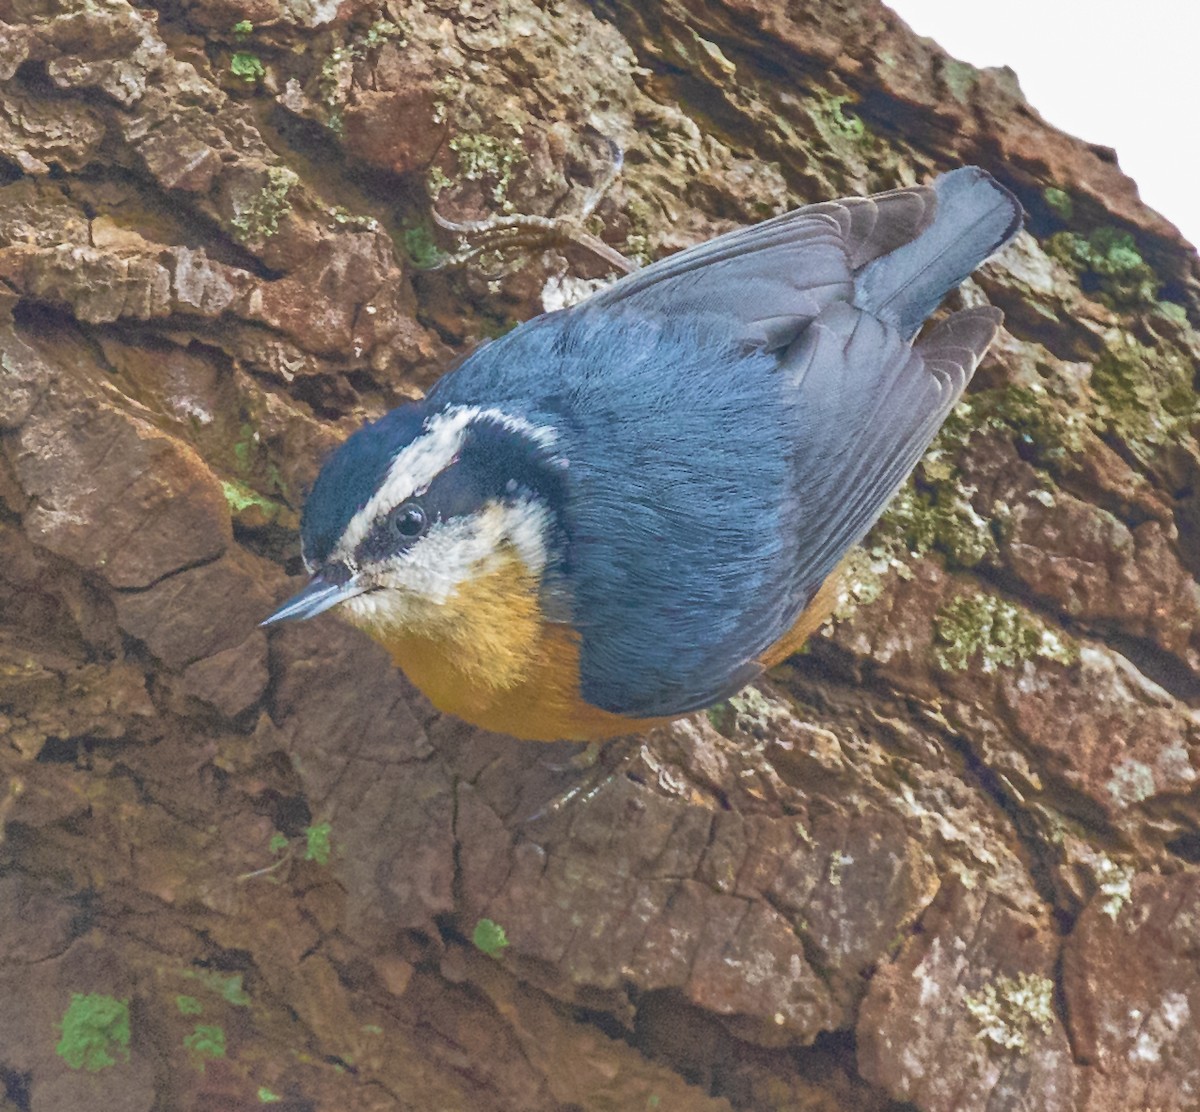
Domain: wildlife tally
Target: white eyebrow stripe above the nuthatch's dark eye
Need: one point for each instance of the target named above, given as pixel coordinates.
(419, 464)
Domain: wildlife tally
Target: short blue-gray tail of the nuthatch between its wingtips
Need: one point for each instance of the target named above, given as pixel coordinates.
(976, 217)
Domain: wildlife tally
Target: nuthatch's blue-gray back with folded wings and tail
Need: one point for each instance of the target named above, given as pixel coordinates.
(735, 419)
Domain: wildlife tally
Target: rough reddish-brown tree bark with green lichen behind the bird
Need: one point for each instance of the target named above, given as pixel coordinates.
(945, 861)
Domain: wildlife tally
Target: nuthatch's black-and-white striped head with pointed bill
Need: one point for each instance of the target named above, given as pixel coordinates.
(421, 506)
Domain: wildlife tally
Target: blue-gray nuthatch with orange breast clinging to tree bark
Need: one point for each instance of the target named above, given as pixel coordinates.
(625, 512)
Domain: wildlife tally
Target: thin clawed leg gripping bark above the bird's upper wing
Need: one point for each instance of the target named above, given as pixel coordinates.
(530, 232)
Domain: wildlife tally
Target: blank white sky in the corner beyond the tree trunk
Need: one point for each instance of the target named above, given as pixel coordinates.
(1125, 74)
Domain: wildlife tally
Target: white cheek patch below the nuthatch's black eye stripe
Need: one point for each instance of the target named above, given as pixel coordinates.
(403, 591)
